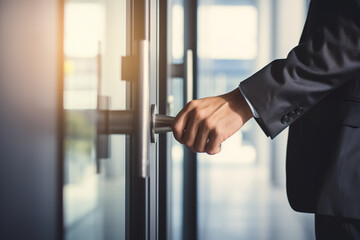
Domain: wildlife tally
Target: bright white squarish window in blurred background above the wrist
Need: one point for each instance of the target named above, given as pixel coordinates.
(220, 40)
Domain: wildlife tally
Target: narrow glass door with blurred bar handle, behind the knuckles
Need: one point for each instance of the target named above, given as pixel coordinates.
(182, 88)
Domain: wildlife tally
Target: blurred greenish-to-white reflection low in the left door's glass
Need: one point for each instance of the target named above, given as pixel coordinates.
(79, 169)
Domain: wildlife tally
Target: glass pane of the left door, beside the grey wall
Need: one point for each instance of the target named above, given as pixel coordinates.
(94, 204)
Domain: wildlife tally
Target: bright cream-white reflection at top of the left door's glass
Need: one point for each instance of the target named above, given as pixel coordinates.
(84, 27)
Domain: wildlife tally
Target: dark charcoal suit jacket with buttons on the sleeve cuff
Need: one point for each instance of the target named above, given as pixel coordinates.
(316, 90)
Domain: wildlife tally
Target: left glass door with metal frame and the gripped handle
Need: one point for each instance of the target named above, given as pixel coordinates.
(110, 97)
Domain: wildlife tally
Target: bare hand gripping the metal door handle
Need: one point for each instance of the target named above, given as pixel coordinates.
(202, 125)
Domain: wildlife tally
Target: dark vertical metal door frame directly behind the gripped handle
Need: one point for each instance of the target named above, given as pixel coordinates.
(141, 193)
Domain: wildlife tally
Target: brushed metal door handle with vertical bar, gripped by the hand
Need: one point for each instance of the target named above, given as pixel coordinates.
(142, 121)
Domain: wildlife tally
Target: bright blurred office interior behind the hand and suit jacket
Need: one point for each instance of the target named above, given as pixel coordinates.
(241, 190)
